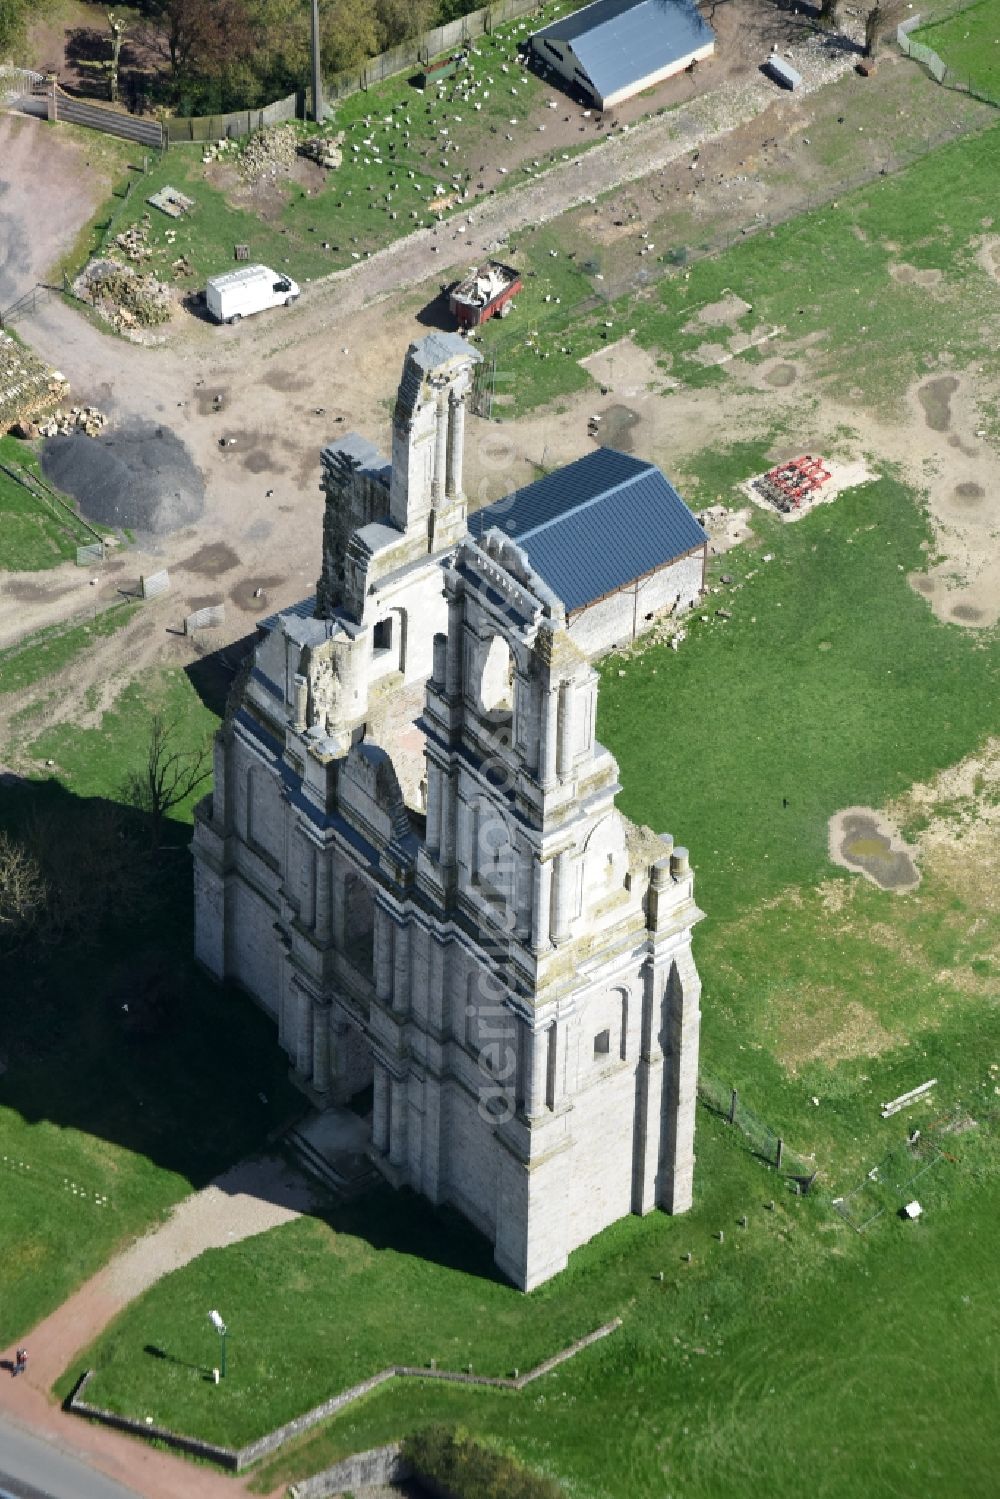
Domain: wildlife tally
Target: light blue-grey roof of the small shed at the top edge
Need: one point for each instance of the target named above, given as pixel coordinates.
(621, 41)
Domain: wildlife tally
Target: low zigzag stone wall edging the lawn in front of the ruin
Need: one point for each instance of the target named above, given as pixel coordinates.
(242, 1458)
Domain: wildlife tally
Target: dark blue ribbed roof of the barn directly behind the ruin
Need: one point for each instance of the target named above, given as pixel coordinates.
(596, 525)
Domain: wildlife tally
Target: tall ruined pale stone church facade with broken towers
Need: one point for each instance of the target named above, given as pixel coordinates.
(412, 858)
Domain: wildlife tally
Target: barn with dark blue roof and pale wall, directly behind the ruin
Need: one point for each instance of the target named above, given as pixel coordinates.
(612, 539)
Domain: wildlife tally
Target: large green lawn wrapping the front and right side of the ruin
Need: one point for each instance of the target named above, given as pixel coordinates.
(785, 1339)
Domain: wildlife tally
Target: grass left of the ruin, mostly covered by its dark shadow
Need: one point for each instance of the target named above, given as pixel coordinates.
(89, 1101)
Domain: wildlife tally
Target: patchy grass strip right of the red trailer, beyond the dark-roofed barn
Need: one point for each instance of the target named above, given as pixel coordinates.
(825, 274)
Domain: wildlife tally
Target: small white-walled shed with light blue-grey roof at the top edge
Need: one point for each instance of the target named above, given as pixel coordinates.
(615, 49)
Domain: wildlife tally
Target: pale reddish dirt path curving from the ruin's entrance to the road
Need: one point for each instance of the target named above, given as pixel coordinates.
(251, 1198)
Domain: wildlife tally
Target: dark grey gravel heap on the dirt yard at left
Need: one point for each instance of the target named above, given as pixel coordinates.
(140, 477)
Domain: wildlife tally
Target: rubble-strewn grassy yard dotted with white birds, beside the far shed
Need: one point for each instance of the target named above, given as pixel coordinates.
(412, 157)
